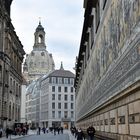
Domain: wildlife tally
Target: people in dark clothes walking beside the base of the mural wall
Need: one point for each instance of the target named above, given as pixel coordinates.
(79, 134)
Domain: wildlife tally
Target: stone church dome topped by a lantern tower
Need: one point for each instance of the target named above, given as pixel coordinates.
(39, 61)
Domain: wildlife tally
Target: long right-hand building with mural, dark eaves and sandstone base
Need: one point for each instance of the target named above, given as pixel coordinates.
(107, 79)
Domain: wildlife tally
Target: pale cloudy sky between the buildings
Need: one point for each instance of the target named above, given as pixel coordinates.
(62, 20)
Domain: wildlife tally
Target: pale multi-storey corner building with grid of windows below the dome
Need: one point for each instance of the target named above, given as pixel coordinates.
(51, 100)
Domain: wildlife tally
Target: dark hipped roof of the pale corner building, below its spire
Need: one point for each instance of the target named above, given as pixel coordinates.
(62, 73)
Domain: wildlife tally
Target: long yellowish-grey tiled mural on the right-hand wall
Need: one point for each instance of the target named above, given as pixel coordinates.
(116, 52)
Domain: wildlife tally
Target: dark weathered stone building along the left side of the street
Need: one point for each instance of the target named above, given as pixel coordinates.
(11, 58)
